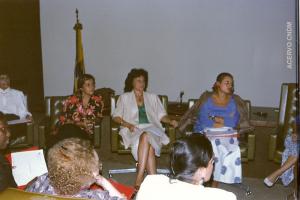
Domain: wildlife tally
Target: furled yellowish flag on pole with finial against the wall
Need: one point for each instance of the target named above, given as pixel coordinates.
(79, 62)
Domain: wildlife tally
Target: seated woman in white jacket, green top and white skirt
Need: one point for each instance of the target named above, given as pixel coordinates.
(140, 115)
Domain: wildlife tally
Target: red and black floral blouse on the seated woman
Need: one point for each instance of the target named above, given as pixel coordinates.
(74, 111)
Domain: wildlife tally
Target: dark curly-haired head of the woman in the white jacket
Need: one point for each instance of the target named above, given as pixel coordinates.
(137, 79)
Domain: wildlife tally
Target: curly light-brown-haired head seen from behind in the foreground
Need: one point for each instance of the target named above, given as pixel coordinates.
(73, 164)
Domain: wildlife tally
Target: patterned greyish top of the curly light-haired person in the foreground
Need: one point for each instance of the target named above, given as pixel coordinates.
(42, 185)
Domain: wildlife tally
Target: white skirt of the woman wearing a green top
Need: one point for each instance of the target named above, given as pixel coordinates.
(156, 136)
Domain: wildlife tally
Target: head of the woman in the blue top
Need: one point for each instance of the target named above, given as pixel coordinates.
(224, 83)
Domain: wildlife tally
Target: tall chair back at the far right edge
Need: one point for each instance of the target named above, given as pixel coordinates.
(288, 93)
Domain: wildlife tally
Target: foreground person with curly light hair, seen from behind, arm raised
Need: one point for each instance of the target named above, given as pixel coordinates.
(73, 166)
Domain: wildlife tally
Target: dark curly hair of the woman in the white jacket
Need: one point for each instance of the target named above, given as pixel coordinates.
(134, 73)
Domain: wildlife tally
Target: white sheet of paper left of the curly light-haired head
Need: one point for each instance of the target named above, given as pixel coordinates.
(28, 165)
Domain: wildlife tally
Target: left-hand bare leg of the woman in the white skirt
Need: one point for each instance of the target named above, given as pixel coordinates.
(143, 153)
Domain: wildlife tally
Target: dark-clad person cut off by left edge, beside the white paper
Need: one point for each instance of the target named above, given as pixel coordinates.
(6, 178)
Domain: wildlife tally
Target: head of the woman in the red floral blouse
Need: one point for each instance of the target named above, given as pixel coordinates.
(86, 84)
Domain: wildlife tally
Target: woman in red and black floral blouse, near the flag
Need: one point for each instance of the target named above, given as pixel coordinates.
(83, 109)
